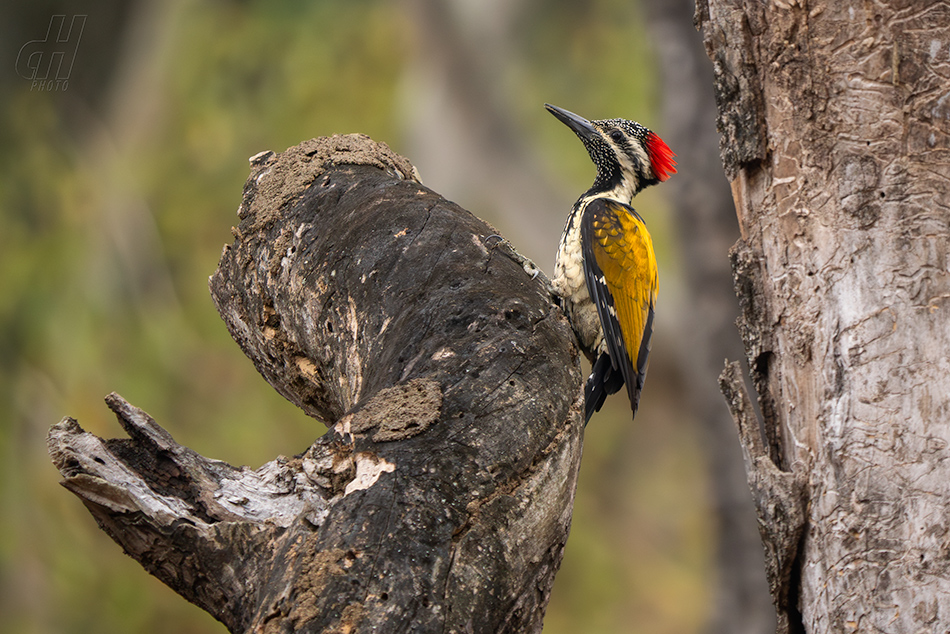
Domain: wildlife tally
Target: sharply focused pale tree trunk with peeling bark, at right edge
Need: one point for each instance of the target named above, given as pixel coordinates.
(836, 129)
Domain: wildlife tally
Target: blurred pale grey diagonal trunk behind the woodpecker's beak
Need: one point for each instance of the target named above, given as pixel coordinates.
(459, 88)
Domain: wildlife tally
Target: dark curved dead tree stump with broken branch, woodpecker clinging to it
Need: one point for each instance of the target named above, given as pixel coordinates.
(440, 499)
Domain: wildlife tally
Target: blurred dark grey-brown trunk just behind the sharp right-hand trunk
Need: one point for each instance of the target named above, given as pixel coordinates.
(706, 227)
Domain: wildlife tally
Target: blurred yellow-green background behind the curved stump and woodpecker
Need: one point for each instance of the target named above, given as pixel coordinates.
(117, 195)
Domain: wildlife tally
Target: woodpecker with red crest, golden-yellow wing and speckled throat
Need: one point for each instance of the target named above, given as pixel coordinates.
(605, 271)
